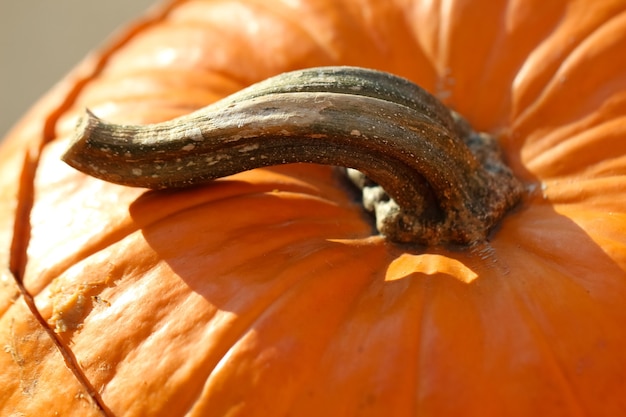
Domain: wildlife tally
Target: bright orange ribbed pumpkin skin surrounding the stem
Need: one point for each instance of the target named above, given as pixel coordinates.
(266, 292)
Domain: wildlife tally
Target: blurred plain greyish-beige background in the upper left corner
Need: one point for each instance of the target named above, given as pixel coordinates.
(41, 40)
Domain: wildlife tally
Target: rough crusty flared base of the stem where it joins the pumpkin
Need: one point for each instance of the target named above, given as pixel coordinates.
(501, 192)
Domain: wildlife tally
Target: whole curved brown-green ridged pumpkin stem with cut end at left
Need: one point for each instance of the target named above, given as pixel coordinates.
(428, 177)
